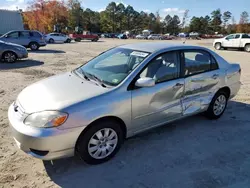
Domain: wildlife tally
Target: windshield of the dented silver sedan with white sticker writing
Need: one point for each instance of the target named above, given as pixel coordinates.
(113, 66)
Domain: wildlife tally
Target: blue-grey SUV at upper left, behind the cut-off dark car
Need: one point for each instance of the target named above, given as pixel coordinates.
(29, 39)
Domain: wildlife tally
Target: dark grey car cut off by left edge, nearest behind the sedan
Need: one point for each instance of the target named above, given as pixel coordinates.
(10, 52)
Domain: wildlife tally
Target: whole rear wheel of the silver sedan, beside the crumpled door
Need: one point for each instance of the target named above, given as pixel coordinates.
(217, 106)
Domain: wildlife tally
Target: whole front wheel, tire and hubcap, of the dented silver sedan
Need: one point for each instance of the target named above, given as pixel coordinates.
(100, 142)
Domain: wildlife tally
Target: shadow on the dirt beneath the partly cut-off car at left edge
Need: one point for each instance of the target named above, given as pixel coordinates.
(20, 64)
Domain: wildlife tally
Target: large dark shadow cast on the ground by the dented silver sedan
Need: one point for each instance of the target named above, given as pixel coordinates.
(193, 152)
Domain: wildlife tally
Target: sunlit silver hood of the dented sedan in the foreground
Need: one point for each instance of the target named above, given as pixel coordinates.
(57, 92)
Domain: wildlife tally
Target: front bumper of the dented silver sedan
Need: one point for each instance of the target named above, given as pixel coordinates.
(54, 142)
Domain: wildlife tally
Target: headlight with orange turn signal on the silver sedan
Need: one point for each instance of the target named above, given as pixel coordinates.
(46, 119)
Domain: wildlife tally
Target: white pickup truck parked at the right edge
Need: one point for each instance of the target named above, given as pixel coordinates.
(238, 41)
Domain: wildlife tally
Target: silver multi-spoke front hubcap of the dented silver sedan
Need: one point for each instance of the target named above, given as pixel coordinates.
(102, 143)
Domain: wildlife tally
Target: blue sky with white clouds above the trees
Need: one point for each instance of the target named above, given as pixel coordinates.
(195, 7)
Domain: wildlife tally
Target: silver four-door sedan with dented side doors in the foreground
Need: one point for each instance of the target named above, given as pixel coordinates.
(121, 92)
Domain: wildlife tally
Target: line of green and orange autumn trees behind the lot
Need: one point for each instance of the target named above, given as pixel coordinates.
(47, 16)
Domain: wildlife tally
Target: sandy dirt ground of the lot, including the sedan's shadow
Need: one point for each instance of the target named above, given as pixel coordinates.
(191, 153)
